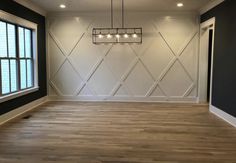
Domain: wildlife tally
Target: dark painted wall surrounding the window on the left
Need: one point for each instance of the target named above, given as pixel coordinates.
(16, 9)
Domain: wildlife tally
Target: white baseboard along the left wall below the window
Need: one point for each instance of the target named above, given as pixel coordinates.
(21, 110)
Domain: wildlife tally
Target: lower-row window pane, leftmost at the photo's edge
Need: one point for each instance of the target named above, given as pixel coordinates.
(5, 76)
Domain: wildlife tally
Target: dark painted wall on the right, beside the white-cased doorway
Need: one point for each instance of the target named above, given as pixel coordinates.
(224, 68)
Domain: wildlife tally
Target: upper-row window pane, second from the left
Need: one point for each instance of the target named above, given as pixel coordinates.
(11, 40)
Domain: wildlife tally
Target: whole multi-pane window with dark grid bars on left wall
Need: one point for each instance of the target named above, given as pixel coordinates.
(17, 58)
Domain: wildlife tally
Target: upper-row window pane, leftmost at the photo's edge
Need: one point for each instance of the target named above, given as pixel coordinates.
(3, 39)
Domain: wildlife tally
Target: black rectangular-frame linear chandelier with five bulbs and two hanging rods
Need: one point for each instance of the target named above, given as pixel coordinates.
(117, 35)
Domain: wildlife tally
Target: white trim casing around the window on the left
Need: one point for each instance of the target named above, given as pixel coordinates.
(25, 23)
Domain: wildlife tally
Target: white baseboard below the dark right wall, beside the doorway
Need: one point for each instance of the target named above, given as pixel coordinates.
(223, 115)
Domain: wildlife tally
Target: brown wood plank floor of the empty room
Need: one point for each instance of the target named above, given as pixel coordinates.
(61, 132)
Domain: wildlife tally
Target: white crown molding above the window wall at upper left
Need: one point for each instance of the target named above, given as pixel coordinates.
(32, 6)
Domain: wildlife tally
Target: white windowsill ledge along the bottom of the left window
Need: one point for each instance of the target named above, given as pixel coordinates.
(18, 94)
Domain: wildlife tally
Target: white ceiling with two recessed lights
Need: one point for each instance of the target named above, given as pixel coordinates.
(130, 5)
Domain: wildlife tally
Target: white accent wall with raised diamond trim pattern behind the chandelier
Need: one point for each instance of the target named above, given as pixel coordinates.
(163, 68)
